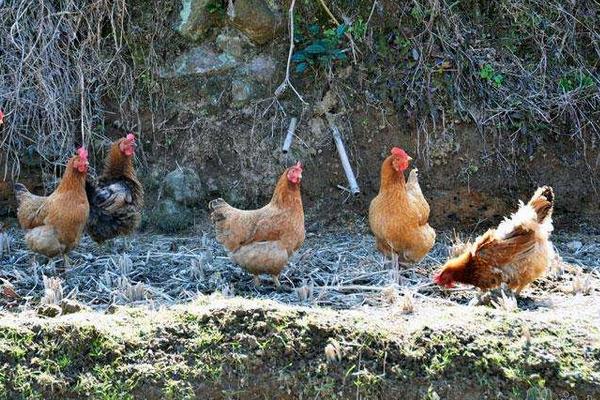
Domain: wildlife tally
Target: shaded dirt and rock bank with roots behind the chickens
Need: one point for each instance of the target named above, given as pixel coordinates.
(487, 106)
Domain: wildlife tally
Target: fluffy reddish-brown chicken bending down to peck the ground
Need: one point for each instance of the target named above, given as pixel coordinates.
(516, 253)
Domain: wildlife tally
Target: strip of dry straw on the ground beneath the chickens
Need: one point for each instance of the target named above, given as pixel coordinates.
(337, 269)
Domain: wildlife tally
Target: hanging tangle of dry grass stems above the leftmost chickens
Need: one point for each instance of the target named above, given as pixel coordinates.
(59, 60)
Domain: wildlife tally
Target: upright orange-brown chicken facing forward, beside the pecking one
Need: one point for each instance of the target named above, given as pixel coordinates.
(398, 215)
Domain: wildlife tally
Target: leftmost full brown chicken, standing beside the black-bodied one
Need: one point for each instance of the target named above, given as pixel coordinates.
(54, 223)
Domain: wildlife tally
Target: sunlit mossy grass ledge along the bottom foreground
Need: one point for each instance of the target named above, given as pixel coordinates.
(255, 350)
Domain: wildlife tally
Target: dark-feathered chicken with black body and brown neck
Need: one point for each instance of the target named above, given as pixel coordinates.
(117, 199)
